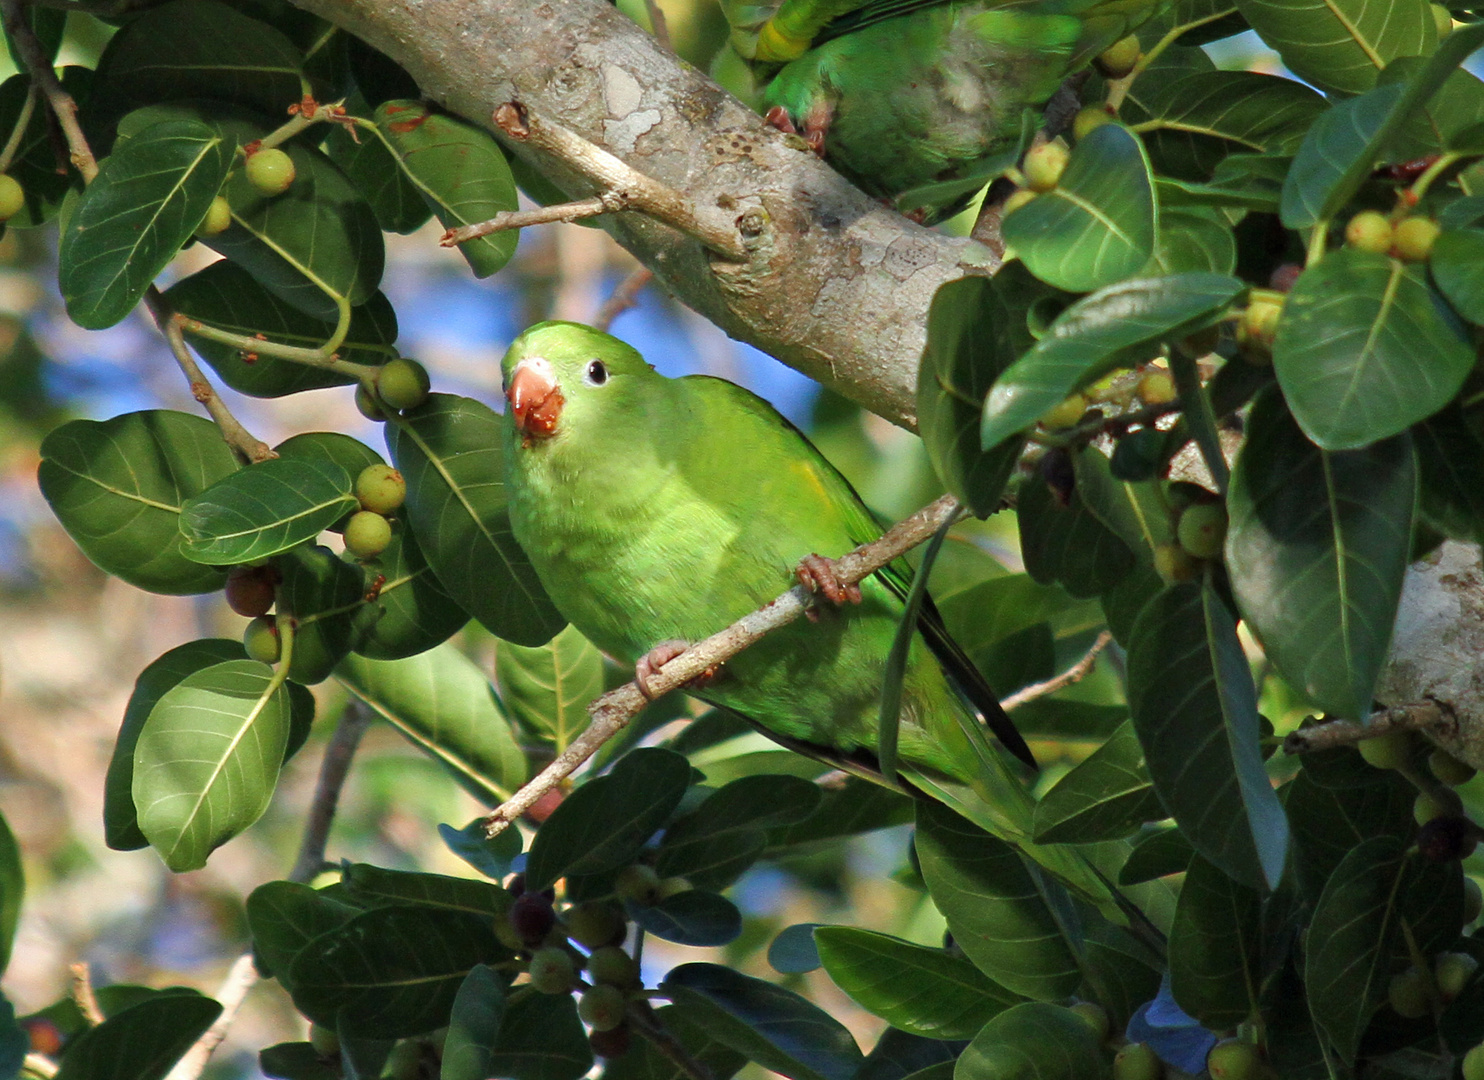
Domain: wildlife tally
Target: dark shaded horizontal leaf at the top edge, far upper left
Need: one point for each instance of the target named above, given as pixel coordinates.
(203, 50)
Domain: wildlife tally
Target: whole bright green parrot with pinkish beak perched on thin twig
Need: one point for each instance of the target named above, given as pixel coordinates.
(658, 511)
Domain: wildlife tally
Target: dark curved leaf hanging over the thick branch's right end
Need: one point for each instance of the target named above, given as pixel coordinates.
(977, 327)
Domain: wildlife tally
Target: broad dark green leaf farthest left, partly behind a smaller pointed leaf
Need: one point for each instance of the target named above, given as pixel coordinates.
(118, 487)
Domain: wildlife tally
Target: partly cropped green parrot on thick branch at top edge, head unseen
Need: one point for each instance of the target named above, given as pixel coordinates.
(900, 94)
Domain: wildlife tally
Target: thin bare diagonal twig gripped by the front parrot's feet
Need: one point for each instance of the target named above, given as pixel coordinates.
(617, 708)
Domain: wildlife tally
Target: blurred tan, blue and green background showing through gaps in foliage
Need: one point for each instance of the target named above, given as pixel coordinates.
(73, 640)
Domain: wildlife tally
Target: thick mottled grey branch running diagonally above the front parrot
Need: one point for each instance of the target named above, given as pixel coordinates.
(836, 286)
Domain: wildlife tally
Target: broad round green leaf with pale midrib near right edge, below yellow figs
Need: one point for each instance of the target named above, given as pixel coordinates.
(1366, 349)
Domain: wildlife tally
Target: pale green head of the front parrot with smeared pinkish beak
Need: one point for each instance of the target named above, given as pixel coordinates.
(563, 376)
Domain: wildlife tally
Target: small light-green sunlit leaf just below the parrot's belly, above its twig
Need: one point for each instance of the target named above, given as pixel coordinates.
(548, 688)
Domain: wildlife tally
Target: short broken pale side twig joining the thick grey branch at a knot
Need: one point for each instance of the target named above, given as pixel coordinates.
(617, 180)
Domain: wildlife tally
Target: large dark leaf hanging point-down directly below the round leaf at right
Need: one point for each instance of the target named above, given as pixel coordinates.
(1317, 550)
